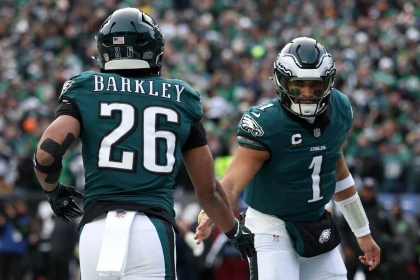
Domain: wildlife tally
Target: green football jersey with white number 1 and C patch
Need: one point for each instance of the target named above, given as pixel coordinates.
(299, 179)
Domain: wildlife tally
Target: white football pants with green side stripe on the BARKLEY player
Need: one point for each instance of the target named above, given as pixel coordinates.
(151, 250)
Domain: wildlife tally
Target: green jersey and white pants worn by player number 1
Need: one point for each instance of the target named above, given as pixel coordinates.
(294, 184)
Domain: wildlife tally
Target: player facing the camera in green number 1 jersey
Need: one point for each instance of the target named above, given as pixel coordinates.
(290, 164)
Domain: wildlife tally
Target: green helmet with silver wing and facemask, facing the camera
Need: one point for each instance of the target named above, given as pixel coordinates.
(304, 61)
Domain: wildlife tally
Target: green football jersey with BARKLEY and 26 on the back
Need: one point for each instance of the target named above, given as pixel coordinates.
(133, 131)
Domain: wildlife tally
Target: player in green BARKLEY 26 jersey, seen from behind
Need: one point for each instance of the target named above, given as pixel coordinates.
(135, 127)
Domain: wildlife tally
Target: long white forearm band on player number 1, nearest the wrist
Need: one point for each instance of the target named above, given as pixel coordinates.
(355, 215)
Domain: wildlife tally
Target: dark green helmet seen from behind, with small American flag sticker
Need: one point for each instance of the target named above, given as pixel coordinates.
(130, 39)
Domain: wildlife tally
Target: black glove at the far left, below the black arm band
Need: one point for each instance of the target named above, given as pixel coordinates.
(62, 203)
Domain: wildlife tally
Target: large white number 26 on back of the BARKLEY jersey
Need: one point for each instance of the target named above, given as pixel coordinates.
(151, 138)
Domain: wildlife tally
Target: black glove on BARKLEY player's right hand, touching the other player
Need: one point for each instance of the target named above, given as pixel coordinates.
(242, 238)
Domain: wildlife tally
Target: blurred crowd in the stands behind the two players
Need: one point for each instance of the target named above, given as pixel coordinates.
(225, 49)
